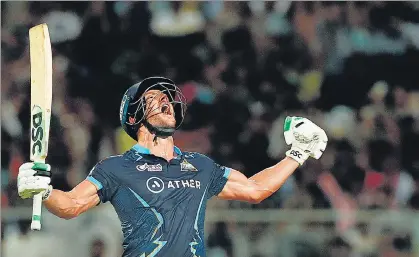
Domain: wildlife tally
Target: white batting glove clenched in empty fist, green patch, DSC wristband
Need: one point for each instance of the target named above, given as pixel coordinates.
(306, 139)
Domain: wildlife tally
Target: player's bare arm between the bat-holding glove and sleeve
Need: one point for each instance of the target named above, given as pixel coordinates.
(70, 204)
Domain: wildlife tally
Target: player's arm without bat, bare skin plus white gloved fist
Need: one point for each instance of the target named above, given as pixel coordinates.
(306, 140)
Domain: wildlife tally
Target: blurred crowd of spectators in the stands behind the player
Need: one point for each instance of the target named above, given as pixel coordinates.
(351, 67)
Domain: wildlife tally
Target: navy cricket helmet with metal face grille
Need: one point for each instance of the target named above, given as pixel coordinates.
(133, 112)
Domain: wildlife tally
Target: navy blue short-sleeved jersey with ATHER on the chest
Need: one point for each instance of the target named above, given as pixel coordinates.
(161, 204)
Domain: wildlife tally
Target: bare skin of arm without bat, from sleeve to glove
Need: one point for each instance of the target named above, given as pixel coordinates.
(261, 185)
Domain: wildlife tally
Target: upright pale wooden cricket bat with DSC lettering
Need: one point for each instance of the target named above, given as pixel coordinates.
(41, 98)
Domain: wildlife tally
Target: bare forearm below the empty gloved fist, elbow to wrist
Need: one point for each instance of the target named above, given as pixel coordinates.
(271, 179)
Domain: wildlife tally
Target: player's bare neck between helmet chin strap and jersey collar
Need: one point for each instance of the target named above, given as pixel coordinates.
(161, 147)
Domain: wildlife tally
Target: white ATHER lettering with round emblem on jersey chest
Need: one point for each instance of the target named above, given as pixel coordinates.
(157, 185)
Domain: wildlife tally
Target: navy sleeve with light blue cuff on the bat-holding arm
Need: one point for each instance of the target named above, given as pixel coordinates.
(102, 178)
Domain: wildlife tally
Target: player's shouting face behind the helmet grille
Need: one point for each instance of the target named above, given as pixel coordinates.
(160, 111)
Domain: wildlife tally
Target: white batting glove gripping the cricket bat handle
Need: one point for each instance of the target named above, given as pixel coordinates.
(34, 178)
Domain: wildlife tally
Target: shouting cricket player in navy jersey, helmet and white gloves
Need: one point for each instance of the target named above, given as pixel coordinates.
(159, 191)
